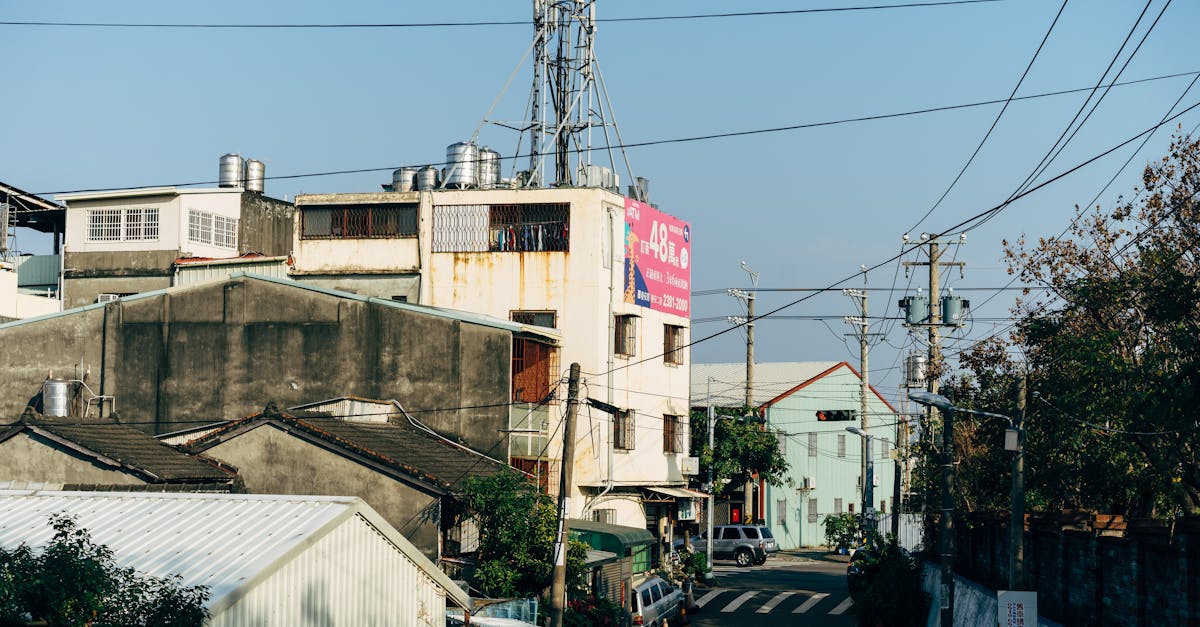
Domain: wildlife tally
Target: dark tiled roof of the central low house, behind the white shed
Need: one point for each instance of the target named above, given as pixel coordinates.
(400, 446)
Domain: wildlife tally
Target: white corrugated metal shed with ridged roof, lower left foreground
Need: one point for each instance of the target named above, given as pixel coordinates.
(267, 560)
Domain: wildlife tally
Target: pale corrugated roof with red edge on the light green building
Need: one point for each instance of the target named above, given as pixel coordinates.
(729, 381)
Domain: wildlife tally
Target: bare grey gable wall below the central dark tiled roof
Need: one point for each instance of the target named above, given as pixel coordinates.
(272, 462)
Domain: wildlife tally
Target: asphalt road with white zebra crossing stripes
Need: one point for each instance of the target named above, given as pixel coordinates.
(778, 593)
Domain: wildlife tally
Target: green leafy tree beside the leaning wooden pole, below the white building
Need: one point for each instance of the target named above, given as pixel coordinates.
(518, 529)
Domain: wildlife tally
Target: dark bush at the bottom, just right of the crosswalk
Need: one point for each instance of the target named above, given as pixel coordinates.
(892, 589)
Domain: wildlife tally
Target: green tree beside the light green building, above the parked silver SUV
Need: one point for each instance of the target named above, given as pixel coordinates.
(743, 450)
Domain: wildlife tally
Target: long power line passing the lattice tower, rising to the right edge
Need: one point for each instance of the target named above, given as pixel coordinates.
(662, 142)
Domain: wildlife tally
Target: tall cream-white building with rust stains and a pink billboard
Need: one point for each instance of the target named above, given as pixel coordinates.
(610, 273)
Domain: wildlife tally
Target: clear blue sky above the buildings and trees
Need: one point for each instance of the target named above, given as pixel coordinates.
(109, 108)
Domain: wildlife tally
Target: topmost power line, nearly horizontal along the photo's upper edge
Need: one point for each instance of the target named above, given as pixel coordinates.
(484, 23)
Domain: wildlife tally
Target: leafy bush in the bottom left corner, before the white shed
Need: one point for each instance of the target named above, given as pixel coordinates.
(75, 582)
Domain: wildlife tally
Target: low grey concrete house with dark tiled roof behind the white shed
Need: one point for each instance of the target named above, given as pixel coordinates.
(401, 469)
